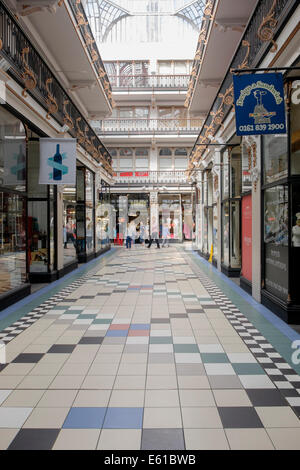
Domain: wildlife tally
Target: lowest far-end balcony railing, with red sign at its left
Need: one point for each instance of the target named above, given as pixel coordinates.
(149, 177)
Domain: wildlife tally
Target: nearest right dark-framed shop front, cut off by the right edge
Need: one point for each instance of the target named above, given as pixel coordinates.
(281, 216)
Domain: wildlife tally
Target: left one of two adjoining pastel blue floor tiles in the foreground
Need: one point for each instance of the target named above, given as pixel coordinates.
(85, 418)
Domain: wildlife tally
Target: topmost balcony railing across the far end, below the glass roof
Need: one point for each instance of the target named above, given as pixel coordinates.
(130, 82)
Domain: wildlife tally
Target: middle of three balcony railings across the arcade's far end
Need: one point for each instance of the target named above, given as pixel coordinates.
(147, 126)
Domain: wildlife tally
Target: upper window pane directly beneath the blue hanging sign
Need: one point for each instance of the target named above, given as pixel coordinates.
(275, 157)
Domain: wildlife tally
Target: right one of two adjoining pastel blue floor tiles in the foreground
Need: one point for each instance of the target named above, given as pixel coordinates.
(123, 418)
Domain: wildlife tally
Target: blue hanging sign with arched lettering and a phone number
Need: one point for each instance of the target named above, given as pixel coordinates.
(259, 104)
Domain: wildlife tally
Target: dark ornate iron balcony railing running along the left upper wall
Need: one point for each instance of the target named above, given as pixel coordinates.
(27, 68)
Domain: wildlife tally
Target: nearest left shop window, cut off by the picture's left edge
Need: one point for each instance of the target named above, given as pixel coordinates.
(13, 201)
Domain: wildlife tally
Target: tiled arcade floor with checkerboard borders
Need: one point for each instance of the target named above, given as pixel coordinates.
(147, 353)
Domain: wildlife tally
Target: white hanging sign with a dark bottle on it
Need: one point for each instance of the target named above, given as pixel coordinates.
(57, 161)
